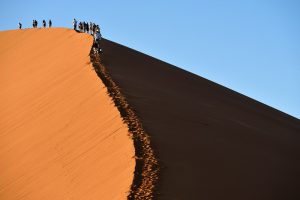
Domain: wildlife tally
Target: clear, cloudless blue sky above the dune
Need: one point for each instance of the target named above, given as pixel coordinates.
(250, 46)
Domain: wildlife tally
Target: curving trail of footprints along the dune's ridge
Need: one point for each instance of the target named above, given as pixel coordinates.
(147, 167)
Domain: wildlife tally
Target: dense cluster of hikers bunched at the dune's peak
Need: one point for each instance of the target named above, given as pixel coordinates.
(92, 29)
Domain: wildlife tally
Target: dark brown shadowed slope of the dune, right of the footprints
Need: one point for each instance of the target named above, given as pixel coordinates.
(212, 143)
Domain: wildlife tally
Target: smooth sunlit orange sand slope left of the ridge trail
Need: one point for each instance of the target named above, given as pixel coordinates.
(61, 137)
